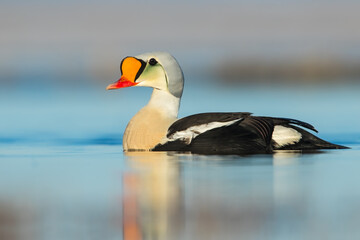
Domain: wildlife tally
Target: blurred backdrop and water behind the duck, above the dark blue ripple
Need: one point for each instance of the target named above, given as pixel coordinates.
(57, 58)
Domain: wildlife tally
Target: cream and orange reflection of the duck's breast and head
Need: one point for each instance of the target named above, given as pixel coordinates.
(151, 195)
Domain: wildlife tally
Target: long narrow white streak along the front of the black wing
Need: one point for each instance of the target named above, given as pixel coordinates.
(190, 133)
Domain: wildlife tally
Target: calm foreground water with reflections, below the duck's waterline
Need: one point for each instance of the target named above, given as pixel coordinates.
(75, 195)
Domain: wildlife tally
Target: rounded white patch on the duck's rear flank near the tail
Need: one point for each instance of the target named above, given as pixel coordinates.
(285, 136)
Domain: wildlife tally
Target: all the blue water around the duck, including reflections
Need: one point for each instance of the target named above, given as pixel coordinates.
(63, 174)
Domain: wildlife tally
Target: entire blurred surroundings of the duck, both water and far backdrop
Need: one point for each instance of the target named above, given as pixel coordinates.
(62, 171)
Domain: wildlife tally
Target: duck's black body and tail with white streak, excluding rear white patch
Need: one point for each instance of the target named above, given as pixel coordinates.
(245, 134)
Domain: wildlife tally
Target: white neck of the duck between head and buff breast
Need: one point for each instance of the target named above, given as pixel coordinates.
(165, 102)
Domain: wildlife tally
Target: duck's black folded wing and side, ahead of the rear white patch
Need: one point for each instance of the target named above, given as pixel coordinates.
(219, 133)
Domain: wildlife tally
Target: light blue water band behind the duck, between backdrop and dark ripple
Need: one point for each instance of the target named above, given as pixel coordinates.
(53, 113)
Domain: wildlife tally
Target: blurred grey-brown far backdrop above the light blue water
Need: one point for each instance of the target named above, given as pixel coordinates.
(265, 38)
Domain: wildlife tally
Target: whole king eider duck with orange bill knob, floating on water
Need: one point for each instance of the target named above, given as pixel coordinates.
(156, 126)
